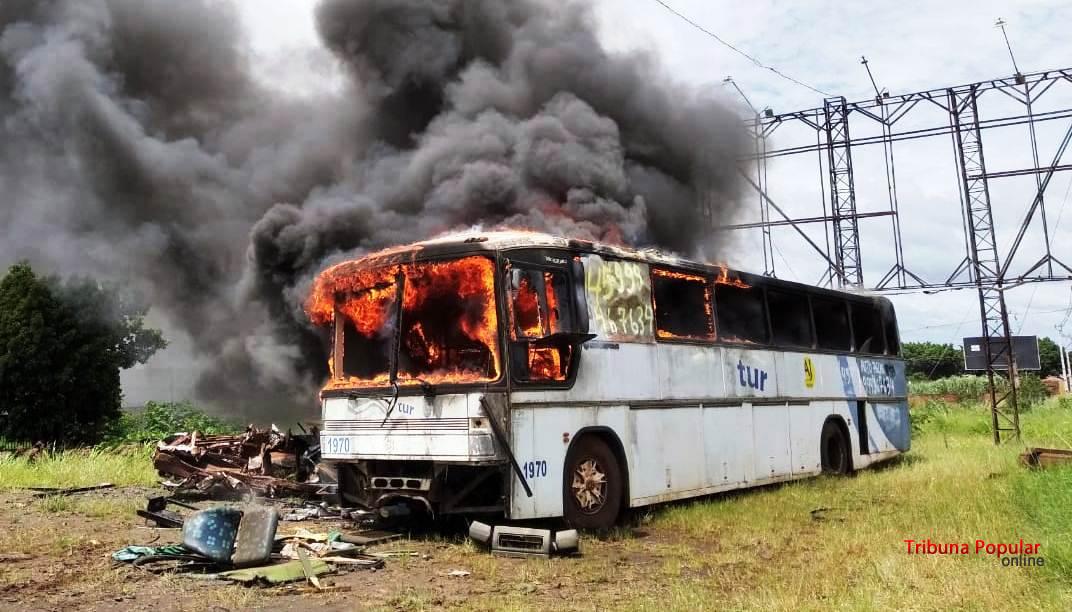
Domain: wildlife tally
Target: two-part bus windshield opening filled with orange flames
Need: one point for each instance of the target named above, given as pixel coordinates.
(428, 323)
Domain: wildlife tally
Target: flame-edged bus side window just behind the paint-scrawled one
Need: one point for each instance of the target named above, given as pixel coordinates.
(682, 306)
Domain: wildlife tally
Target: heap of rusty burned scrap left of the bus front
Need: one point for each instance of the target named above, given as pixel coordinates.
(263, 464)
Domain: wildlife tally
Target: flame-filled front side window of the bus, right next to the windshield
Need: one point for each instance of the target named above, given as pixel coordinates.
(540, 308)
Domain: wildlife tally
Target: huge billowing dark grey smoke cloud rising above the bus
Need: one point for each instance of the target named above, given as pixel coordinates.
(136, 145)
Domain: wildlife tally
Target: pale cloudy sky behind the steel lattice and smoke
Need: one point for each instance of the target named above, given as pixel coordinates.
(911, 47)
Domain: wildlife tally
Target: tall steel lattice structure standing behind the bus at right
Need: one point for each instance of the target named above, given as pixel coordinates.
(982, 267)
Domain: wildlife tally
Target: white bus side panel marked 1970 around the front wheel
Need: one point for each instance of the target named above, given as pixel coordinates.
(540, 446)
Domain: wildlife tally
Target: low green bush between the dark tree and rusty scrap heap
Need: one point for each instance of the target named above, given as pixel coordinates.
(161, 420)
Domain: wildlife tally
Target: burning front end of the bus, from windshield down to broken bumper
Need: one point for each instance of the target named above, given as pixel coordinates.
(416, 377)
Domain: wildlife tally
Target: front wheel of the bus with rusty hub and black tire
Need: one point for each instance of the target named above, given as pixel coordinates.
(593, 485)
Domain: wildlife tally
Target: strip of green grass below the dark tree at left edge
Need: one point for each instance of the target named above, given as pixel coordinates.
(83, 468)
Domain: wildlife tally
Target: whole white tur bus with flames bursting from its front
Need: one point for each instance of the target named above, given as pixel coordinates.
(533, 377)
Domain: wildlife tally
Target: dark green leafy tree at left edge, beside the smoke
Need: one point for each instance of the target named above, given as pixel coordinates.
(62, 349)
